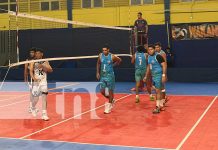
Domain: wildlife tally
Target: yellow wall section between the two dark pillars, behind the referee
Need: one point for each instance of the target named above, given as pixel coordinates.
(119, 16)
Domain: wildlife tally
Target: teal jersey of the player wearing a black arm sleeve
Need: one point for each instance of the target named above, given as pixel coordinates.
(155, 66)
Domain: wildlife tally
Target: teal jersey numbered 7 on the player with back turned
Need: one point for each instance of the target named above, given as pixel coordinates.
(140, 61)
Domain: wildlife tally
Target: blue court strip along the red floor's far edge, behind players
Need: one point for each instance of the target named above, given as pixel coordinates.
(173, 88)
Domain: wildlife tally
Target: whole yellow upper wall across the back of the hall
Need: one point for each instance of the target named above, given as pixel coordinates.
(125, 15)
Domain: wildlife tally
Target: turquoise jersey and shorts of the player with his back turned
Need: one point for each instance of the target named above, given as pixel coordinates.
(140, 66)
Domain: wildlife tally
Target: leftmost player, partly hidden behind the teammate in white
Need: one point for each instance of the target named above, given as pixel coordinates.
(27, 78)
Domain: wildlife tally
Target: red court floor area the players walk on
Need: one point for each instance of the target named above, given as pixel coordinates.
(129, 124)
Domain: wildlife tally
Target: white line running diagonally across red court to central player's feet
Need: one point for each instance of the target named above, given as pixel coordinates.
(23, 137)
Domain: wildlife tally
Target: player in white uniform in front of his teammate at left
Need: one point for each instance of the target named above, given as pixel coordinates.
(38, 72)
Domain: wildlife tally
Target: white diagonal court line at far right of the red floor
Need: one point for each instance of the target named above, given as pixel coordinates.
(195, 125)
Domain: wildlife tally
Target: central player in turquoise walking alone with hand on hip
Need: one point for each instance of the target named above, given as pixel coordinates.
(105, 74)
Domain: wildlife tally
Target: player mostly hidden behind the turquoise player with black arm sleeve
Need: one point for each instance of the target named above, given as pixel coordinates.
(159, 50)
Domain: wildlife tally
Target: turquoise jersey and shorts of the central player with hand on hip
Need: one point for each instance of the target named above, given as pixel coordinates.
(107, 72)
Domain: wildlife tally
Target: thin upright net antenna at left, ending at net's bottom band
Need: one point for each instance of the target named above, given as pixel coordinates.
(17, 31)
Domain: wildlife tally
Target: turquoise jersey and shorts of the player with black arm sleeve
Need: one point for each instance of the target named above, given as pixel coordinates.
(156, 71)
